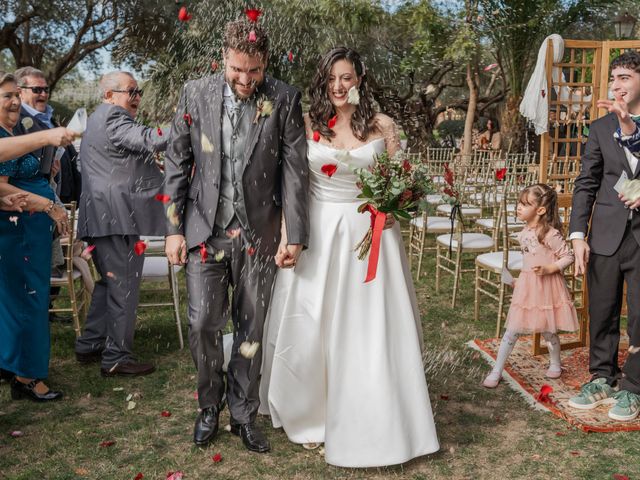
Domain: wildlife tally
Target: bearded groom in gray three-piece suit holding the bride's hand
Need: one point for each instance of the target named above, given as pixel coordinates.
(235, 169)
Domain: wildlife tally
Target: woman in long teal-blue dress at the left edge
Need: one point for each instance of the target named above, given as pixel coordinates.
(25, 262)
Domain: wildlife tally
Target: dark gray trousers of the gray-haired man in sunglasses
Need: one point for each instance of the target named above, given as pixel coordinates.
(112, 316)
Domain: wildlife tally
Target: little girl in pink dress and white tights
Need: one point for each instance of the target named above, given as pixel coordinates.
(541, 302)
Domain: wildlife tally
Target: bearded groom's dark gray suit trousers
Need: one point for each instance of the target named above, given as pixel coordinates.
(250, 275)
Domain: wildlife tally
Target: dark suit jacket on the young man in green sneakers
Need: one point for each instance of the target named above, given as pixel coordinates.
(601, 166)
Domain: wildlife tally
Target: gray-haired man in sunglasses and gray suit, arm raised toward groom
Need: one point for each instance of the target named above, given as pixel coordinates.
(120, 181)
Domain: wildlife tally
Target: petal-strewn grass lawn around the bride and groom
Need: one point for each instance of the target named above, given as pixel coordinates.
(484, 434)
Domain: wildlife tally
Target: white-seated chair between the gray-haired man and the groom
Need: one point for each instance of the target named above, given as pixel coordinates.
(158, 269)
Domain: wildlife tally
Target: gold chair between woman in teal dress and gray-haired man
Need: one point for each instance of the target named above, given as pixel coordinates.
(71, 280)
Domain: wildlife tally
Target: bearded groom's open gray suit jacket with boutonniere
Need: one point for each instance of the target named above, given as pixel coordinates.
(275, 177)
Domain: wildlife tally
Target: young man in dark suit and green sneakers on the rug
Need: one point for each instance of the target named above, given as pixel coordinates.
(612, 254)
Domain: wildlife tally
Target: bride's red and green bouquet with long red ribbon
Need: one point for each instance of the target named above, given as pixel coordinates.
(393, 185)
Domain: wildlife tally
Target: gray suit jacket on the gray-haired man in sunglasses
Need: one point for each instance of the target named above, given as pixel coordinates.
(120, 179)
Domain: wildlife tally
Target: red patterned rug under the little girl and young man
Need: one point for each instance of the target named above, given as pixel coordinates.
(524, 372)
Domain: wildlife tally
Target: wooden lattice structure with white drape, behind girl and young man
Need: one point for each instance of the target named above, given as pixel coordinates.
(582, 77)
